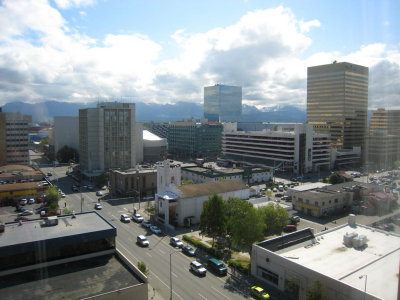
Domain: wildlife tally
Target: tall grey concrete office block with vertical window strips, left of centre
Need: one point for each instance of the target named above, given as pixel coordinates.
(107, 137)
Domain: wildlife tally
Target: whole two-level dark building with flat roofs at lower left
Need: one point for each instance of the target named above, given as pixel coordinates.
(68, 257)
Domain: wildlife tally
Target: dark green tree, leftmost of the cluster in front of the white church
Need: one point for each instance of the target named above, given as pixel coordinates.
(212, 218)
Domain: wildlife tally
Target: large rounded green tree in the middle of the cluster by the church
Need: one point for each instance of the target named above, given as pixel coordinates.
(245, 224)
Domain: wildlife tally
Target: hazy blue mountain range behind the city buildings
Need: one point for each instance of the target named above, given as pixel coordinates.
(46, 111)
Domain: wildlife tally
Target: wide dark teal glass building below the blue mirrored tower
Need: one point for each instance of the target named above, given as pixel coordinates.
(194, 140)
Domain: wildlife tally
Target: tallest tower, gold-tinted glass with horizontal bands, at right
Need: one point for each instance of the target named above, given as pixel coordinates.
(337, 103)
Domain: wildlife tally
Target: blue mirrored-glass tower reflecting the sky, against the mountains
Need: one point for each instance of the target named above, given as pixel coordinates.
(223, 103)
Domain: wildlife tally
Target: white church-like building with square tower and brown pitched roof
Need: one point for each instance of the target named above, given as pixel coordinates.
(178, 205)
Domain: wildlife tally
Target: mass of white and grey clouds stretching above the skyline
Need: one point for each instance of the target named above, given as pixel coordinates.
(42, 57)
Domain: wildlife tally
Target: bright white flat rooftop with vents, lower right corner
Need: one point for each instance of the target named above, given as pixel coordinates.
(327, 254)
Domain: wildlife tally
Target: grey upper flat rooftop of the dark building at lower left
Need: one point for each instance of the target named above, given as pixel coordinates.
(68, 228)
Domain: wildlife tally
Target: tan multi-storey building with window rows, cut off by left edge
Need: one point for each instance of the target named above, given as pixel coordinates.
(14, 138)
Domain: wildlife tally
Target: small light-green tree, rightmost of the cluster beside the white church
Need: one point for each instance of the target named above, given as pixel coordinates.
(274, 217)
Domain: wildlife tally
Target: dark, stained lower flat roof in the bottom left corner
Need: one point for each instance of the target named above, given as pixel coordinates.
(73, 280)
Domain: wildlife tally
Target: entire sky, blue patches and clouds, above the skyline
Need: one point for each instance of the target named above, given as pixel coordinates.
(166, 51)
